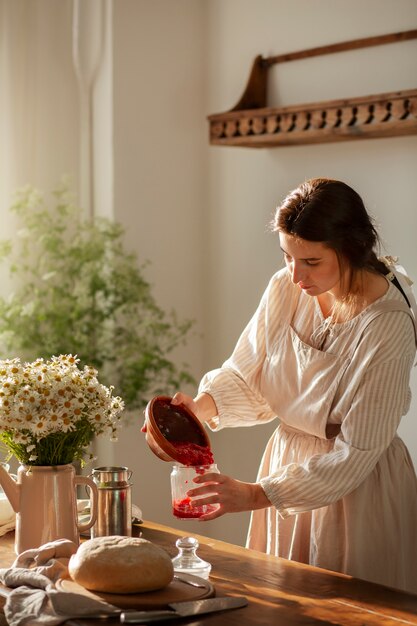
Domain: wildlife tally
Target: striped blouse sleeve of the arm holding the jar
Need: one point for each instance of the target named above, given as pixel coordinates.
(377, 398)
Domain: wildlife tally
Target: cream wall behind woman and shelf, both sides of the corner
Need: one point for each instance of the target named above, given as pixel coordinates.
(223, 206)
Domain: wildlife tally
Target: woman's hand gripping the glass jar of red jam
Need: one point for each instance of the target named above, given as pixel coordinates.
(232, 495)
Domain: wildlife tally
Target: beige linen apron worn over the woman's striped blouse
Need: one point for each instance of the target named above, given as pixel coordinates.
(300, 384)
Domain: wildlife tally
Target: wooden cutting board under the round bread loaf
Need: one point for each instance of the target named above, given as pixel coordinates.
(176, 591)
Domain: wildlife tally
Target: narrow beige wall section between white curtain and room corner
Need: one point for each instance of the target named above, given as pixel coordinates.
(160, 176)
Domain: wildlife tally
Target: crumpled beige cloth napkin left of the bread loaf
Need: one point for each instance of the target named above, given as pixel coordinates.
(35, 598)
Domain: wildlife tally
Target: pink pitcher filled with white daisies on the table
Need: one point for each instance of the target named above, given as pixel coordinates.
(49, 412)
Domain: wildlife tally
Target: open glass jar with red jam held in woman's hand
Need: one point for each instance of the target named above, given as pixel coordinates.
(184, 507)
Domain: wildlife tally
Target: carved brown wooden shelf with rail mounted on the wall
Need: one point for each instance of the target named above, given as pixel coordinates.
(252, 124)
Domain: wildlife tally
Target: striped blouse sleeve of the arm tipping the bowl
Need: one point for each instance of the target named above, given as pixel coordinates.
(235, 387)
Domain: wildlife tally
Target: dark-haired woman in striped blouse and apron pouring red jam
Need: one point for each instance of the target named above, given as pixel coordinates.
(329, 352)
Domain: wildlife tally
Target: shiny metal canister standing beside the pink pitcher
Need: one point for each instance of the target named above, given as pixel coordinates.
(114, 516)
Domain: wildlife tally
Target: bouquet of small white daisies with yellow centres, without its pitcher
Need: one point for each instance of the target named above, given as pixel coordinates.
(50, 410)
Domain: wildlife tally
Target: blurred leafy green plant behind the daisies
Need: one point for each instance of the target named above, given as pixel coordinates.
(77, 291)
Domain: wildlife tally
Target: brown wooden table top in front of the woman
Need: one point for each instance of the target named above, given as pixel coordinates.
(279, 592)
